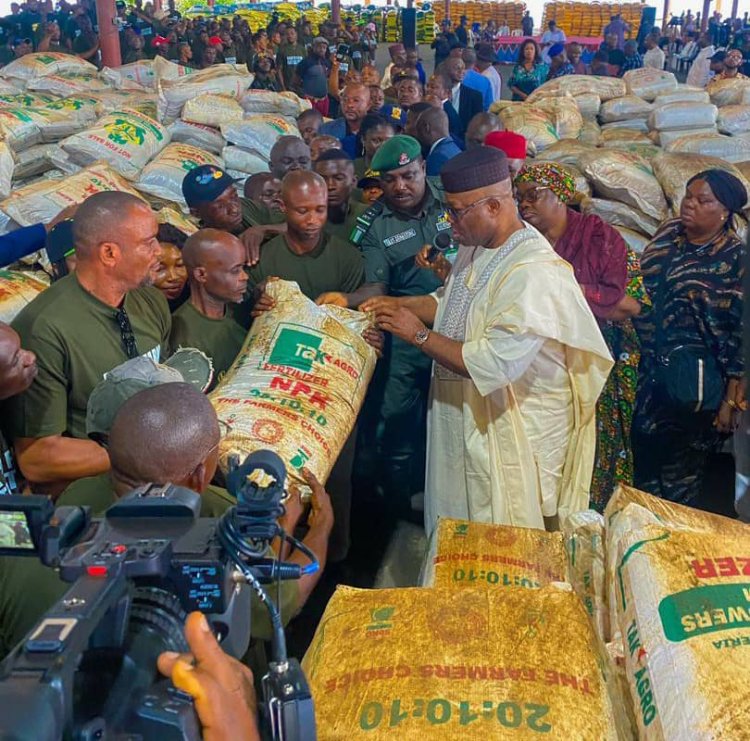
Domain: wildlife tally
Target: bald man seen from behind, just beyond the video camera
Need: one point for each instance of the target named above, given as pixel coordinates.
(167, 433)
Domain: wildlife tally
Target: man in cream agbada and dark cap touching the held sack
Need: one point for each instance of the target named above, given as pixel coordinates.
(519, 362)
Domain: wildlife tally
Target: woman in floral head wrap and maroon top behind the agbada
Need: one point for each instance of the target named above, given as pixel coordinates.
(609, 276)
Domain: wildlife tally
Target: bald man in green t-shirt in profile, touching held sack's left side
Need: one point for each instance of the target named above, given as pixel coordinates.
(215, 262)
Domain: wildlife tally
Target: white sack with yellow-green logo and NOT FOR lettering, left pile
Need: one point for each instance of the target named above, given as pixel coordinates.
(126, 139)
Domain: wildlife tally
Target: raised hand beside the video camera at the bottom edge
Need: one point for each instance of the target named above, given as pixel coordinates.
(221, 686)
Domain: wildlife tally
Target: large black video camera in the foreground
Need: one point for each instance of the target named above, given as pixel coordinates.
(87, 670)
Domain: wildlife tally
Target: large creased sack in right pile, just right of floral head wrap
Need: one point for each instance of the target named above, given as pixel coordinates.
(626, 178)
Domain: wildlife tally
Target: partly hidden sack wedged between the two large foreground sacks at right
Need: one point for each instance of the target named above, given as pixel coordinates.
(584, 546)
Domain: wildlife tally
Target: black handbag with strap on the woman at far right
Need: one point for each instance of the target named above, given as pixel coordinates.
(689, 379)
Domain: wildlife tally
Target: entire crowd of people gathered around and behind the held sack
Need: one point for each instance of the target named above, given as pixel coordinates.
(528, 359)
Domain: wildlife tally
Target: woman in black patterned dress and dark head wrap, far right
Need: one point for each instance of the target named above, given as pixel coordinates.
(692, 272)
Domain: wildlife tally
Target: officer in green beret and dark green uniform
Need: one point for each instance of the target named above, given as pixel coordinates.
(390, 233)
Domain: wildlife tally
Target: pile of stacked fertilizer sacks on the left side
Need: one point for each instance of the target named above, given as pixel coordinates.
(68, 131)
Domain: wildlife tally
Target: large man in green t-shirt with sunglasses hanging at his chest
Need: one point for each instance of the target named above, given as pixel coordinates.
(81, 327)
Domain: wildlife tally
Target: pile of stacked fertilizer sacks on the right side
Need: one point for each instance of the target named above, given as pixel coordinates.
(634, 142)
